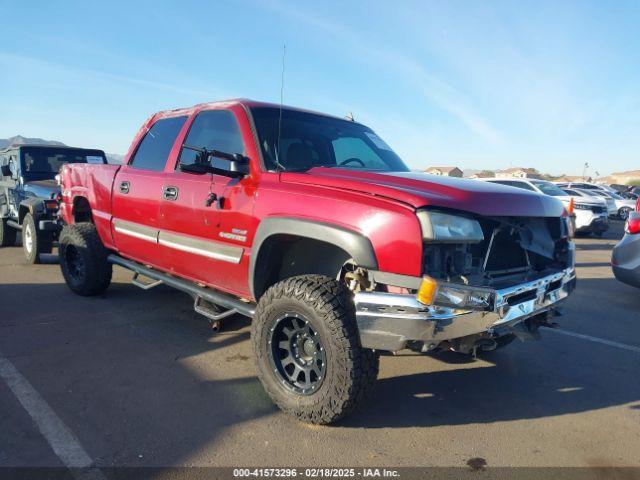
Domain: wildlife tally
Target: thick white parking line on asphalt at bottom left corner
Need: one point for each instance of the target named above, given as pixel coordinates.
(62, 441)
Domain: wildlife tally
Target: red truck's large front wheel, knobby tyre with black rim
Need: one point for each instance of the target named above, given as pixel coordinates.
(308, 351)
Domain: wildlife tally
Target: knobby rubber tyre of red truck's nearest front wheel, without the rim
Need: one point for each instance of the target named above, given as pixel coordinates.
(351, 370)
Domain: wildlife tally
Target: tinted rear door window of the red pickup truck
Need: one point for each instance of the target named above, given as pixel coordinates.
(154, 149)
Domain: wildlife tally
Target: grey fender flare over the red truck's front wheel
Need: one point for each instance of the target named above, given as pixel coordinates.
(355, 244)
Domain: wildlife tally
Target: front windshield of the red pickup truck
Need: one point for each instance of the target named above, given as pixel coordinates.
(310, 140)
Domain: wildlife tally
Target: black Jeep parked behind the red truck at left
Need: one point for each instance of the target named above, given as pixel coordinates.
(28, 193)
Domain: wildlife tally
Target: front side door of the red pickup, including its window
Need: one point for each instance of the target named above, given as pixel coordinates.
(205, 218)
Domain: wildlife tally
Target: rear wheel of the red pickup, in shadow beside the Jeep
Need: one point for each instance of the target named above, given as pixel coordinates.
(83, 259)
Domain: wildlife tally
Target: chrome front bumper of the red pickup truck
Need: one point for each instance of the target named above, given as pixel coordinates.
(388, 321)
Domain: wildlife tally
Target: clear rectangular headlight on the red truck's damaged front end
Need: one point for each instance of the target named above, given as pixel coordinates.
(442, 227)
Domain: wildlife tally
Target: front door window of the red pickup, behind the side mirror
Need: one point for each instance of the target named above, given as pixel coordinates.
(213, 130)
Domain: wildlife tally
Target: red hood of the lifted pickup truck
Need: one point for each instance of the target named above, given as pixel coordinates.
(419, 189)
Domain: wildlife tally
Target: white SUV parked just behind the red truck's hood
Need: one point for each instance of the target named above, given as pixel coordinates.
(590, 212)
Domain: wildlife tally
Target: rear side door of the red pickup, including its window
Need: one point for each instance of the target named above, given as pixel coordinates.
(137, 193)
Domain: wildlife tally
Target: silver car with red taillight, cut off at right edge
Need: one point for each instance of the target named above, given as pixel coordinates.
(625, 259)
